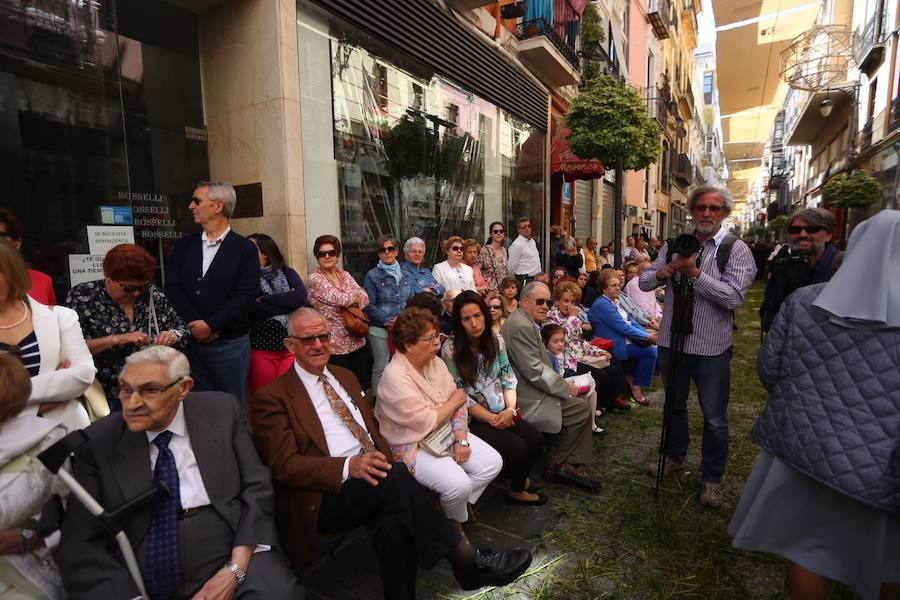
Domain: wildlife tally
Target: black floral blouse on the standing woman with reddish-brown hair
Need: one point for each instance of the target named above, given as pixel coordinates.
(101, 316)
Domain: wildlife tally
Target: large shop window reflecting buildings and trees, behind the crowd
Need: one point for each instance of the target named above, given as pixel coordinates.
(406, 171)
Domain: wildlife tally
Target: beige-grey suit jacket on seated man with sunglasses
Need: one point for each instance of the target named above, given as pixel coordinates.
(540, 389)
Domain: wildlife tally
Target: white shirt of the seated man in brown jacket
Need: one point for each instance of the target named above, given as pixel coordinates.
(338, 437)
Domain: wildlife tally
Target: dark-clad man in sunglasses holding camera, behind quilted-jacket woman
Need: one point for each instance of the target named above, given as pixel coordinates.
(807, 258)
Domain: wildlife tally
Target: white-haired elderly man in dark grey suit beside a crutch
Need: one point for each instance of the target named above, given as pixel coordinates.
(214, 536)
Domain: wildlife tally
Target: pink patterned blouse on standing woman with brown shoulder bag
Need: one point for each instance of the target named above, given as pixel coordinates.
(329, 301)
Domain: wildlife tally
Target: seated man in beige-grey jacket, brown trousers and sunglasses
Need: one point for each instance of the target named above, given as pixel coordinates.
(549, 402)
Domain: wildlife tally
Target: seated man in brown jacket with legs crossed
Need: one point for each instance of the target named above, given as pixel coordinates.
(315, 429)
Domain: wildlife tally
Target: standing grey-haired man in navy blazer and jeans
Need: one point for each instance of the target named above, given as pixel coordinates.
(213, 281)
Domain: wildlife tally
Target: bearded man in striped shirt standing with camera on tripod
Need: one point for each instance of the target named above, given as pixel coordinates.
(718, 292)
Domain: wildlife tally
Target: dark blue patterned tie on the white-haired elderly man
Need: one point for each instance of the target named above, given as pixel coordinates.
(163, 554)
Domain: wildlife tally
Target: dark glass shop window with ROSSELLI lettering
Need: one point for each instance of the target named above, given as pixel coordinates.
(101, 124)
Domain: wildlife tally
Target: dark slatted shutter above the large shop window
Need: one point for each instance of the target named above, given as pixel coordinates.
(432, 36)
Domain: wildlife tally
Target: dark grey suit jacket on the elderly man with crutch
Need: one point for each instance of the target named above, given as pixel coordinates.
(114, 466)
